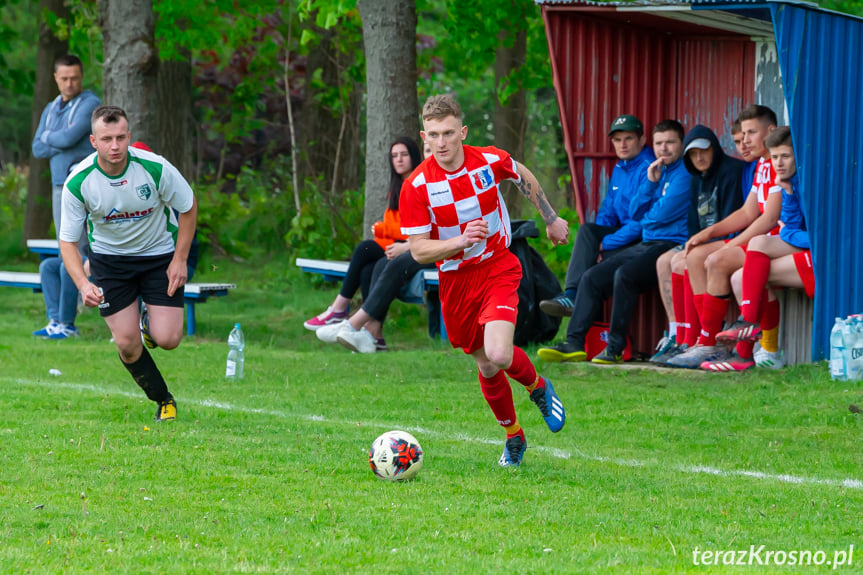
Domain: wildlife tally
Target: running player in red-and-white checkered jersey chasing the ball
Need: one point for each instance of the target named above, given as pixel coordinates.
(454, 214)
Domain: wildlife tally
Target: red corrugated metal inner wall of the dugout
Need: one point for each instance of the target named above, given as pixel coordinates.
(606, 63)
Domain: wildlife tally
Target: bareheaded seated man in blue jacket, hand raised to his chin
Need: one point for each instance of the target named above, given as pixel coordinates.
(658, 215)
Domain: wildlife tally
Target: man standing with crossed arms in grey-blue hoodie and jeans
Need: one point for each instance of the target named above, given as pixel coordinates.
(63, 136)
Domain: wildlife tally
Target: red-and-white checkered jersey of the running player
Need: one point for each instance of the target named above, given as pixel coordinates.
(442, 203)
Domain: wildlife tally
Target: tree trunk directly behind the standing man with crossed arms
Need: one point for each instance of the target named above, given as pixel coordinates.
(37, 218)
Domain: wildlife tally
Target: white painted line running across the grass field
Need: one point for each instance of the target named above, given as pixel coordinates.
(553, 451)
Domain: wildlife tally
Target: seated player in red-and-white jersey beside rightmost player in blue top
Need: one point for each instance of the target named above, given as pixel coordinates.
(710, 264)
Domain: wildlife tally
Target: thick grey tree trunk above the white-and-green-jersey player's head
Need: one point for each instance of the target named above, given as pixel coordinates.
(131, 63)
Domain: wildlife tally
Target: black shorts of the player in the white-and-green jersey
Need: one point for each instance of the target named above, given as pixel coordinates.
(124, 278)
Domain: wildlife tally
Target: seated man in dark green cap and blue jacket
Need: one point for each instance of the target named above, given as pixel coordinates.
(614, 227)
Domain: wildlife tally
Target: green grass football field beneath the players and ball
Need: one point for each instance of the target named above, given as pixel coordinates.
(270, 475)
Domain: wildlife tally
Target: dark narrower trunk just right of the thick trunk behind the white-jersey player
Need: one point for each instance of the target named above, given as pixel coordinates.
(174, 94)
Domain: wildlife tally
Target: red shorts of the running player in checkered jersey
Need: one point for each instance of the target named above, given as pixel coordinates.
(476, 295)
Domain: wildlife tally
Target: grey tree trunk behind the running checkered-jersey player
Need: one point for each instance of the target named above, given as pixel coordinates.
(392, 110)
